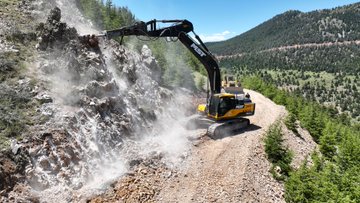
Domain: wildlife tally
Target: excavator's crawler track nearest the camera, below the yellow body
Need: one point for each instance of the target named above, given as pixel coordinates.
(223, 129)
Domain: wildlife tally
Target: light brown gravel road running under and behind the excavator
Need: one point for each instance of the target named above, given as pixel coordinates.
(232, 169)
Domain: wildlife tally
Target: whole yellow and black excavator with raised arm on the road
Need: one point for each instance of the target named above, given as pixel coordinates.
(224, 111)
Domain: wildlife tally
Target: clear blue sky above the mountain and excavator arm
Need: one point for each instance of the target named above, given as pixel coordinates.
(220, 20)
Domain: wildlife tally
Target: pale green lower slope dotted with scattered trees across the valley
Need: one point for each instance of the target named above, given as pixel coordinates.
(337, 91)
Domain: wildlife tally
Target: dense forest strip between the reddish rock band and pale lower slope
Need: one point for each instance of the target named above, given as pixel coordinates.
(333, 59)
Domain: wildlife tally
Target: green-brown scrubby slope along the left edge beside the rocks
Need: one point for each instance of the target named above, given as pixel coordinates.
(17, 105)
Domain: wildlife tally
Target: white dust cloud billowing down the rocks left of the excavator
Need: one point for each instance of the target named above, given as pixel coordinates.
(111, 110)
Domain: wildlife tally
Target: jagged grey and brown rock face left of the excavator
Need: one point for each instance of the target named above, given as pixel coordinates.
(92, 101)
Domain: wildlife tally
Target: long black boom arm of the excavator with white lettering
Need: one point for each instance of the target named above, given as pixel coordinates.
(179, 29)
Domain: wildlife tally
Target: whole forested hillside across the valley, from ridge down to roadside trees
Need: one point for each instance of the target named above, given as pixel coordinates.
(315, 54)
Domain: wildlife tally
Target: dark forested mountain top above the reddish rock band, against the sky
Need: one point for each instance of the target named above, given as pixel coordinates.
(295, 27)
